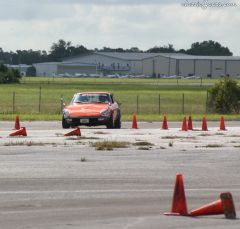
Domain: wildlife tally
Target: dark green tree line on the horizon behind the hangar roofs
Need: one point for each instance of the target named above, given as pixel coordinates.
(63, 49)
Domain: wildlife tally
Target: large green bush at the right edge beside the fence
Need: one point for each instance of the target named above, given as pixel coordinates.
(225, 96)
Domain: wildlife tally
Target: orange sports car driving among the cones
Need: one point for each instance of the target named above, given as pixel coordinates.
(92, 109)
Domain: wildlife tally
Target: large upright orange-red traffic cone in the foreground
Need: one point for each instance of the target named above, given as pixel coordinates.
(179, 204)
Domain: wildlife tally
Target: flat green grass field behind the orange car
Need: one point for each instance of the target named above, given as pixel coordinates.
(150, 98)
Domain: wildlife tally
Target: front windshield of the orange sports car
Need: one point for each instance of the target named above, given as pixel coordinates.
(91, 98)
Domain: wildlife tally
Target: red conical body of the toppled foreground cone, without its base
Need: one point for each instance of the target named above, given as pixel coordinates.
(214, 208)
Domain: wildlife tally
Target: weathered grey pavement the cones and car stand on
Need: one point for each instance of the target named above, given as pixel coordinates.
(44, 182)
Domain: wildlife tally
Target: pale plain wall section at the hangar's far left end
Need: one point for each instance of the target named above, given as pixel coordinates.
(46, 69)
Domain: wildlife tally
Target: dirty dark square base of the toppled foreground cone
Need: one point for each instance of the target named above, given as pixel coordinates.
(228, 205)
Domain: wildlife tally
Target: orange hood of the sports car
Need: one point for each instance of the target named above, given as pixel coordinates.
(92, 109)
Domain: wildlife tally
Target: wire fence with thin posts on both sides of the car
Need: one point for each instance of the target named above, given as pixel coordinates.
(39, 101)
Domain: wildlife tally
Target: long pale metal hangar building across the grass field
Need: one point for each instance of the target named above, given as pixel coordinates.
(147, 64)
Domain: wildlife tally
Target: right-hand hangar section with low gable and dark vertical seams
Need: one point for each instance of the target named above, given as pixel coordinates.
(188, 65)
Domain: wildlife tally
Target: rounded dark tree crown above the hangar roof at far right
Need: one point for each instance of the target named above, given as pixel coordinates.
(210, 48)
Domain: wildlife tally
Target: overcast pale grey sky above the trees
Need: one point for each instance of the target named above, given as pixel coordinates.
(37, 24)
